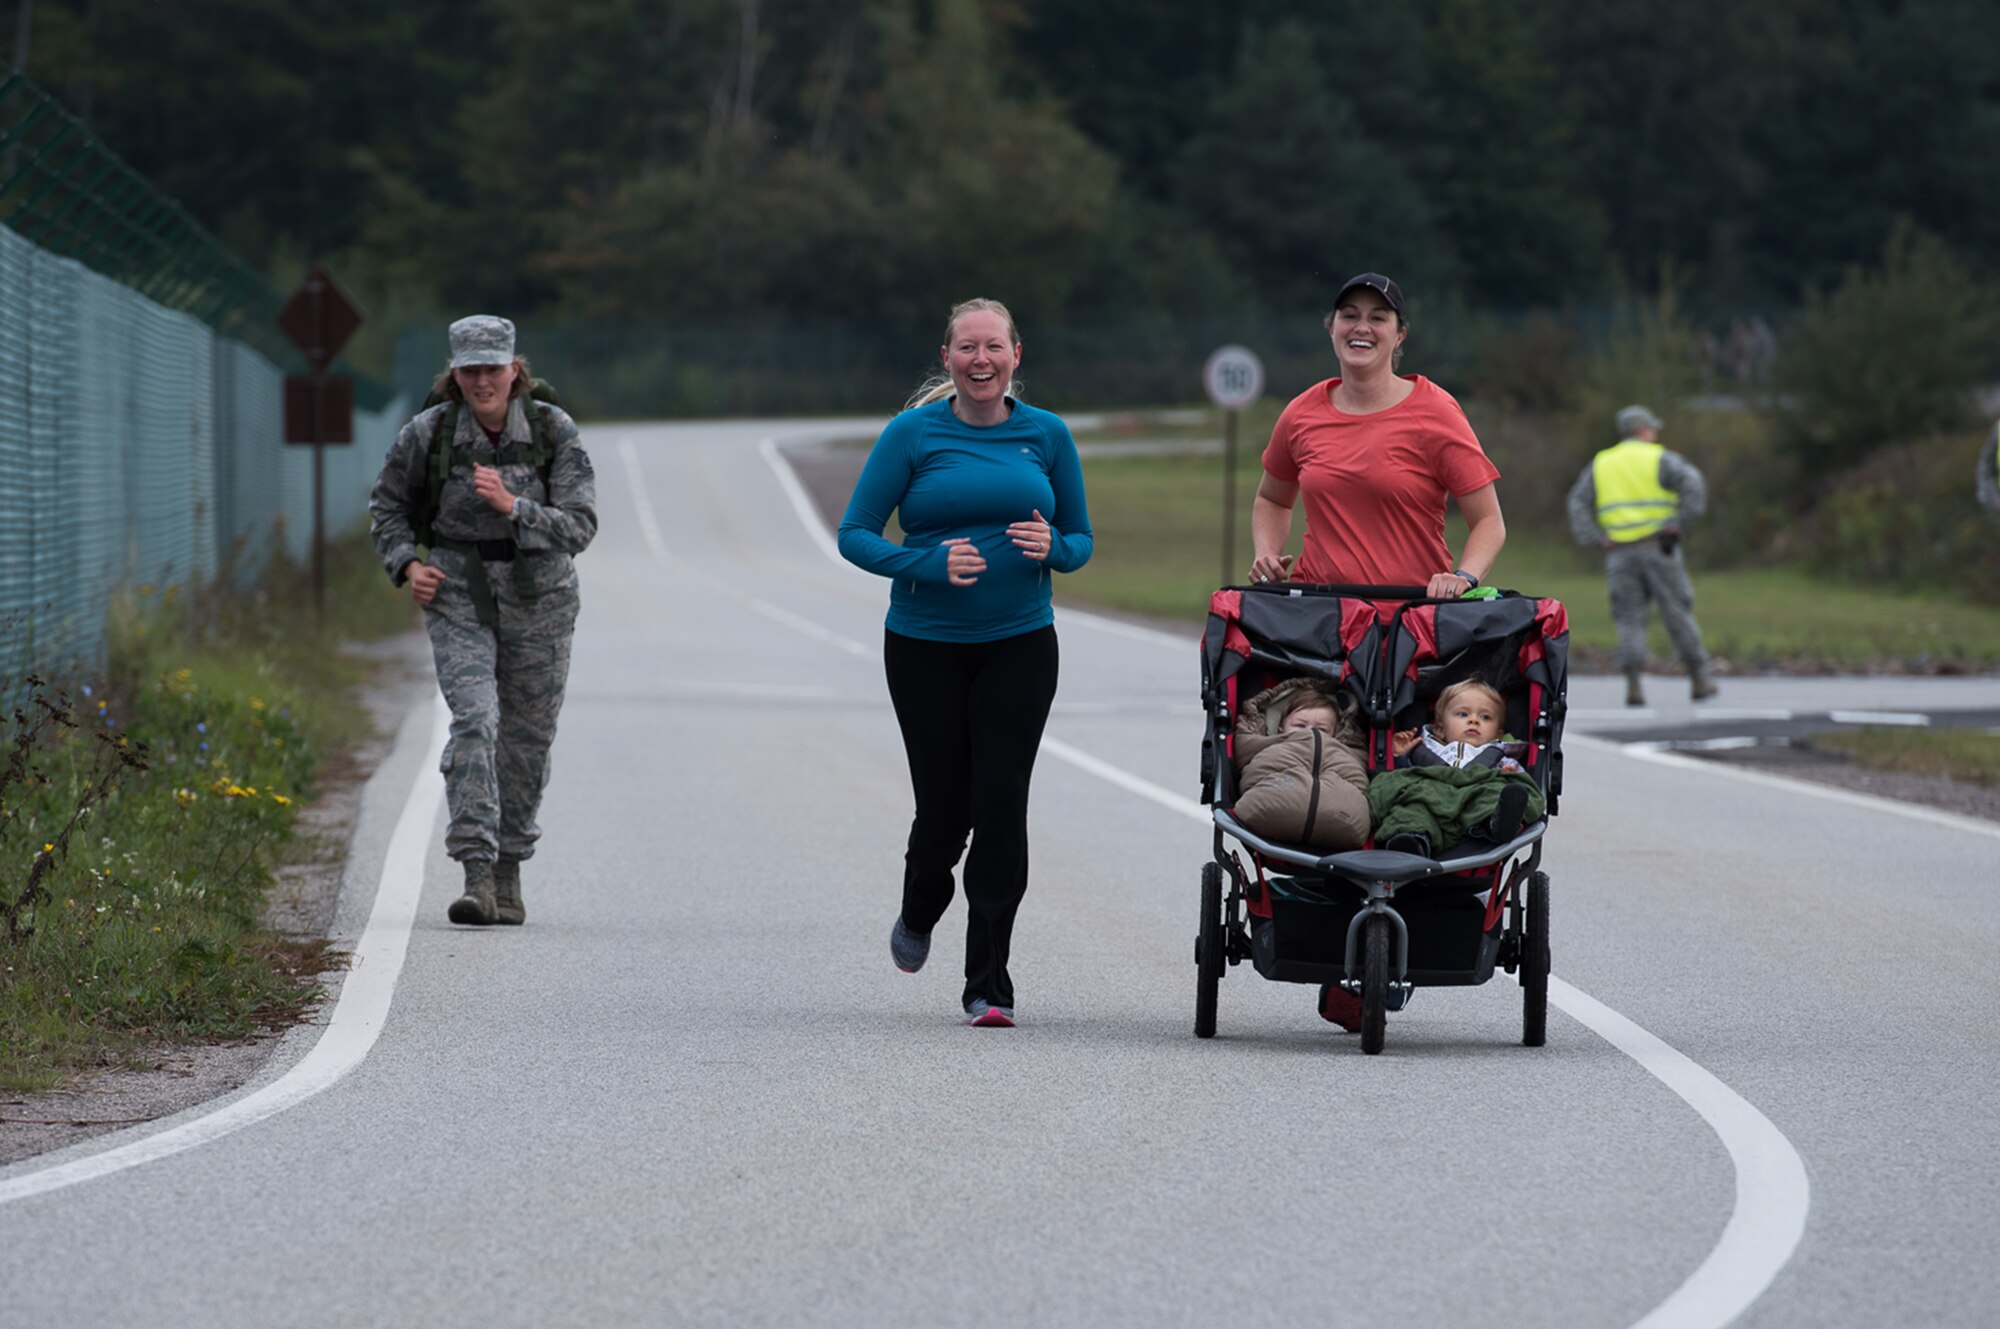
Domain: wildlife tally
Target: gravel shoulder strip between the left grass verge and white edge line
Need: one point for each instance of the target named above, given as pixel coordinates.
(171, 1080)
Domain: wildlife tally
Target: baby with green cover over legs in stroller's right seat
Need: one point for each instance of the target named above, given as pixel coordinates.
(1461, 780)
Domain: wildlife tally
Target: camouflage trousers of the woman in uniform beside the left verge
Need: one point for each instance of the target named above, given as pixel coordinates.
(505, 690)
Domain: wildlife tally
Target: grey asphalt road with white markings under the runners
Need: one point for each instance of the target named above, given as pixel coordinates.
(695, 1090)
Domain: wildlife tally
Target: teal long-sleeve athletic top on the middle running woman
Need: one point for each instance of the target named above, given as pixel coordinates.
(951, 479)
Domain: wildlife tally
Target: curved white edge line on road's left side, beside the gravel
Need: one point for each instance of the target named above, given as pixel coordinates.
(353, 1026)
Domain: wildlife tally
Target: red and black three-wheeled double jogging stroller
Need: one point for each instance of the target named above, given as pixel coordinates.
(1377, 924)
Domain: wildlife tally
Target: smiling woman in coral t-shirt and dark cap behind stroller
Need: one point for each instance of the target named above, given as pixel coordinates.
(1375, 455)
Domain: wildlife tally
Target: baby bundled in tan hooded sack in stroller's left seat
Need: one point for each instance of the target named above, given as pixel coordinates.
(1299, 762)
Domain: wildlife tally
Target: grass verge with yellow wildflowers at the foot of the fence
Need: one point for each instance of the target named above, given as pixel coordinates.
(145, 812)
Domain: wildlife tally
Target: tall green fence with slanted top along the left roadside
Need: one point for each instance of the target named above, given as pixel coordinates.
(141, 397)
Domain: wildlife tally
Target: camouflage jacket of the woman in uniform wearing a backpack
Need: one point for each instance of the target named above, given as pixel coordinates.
(559, 519)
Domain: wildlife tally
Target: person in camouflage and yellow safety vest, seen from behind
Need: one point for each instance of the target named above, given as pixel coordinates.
(1631, 501)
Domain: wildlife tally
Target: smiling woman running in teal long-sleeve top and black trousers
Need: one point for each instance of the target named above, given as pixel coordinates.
(991, 501)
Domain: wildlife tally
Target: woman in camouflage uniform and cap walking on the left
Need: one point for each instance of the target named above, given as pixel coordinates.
(503, 509)
